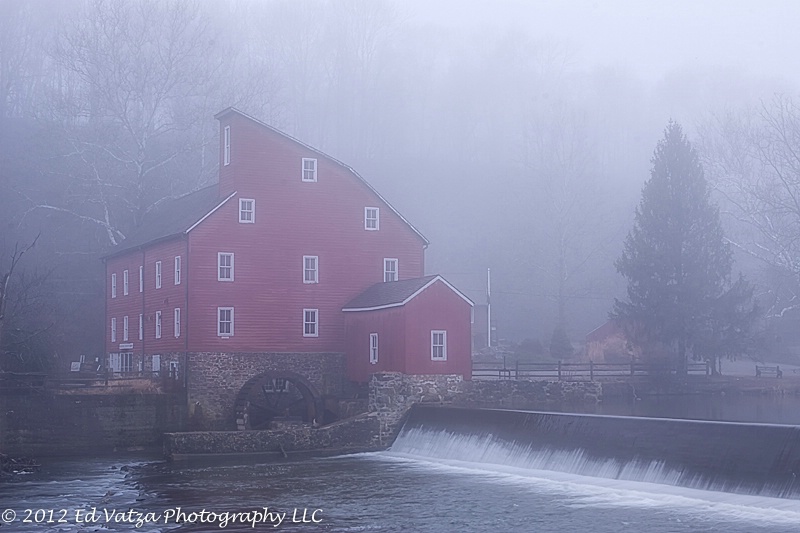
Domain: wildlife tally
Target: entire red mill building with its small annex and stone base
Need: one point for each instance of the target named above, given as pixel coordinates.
(291, 277)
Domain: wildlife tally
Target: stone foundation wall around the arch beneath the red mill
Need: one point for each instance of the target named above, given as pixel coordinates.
(215, 379)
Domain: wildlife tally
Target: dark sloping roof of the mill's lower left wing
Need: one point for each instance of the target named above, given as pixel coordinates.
(172, 218)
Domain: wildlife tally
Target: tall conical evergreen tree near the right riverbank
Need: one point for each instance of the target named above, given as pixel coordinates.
(677, 262)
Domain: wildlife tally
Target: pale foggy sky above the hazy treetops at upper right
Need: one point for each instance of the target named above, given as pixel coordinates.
(649, 37)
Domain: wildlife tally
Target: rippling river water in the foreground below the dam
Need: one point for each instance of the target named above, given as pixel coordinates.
(374, 492)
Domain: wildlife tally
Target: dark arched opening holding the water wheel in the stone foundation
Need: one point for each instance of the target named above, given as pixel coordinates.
(276, 396)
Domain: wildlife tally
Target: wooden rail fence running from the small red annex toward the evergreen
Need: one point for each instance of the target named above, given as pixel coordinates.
(578, 371)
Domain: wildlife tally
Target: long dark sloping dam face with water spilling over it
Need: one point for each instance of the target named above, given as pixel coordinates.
(753, 459)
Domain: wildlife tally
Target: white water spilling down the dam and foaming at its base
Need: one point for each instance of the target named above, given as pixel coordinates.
(583, 480)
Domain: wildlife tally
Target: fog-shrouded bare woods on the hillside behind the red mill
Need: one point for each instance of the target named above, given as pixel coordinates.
(500, 149)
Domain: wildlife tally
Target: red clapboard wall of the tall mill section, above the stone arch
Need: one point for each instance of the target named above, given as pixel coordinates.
(293, 218)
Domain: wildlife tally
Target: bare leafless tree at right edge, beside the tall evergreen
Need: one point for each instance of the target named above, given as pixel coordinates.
(753, 158)
